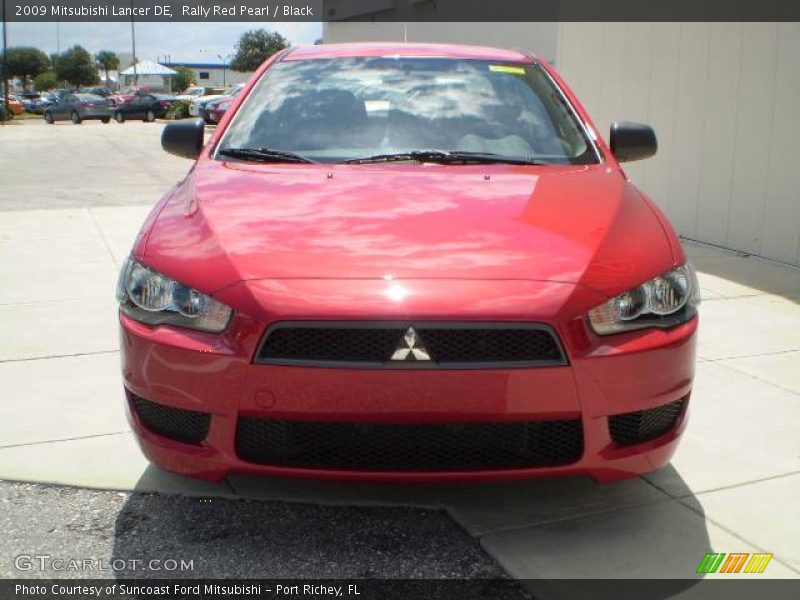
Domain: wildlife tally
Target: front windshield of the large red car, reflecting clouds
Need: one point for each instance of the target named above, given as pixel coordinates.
(334, 110)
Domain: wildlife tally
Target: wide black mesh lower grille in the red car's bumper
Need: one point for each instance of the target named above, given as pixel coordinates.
(409, 447)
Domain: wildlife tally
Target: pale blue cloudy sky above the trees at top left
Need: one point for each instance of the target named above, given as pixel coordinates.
(182, 41)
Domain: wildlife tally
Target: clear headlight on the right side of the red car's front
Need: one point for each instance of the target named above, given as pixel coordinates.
(664, 301)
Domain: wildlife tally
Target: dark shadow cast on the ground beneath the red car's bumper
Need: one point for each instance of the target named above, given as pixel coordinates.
(545, 532)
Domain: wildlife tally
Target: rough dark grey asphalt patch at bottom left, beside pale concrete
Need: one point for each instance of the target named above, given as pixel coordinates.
(139, 535)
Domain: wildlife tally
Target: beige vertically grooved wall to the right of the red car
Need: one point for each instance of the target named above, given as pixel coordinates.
(724, 99)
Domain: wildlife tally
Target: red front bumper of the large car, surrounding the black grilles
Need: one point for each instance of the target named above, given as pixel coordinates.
(215, 375)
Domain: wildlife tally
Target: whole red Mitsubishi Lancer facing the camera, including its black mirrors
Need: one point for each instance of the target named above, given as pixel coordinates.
(408, 262)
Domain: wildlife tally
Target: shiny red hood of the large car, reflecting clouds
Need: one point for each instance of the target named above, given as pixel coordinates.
(230, 222)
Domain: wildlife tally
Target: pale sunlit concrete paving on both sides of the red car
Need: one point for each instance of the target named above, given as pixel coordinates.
(72, 199)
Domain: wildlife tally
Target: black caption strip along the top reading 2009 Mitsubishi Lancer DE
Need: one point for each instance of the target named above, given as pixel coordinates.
(401, 10)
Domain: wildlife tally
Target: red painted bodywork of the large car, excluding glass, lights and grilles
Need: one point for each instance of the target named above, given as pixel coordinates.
(407, 242)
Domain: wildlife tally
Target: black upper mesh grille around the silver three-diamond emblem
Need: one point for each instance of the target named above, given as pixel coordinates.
(373, 344)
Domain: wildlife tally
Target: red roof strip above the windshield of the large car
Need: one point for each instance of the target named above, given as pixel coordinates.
(409, 50)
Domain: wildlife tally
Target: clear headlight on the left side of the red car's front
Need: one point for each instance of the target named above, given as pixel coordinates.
(155, 299)
